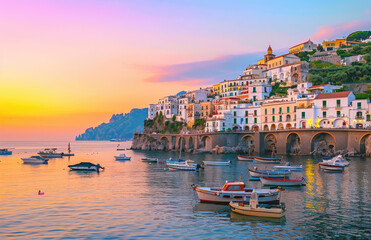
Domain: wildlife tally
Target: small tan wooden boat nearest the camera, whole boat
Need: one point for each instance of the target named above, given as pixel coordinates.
(253, 208)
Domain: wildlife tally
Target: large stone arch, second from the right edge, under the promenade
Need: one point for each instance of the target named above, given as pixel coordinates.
(323, 144)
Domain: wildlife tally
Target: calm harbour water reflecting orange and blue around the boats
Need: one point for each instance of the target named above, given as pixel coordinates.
(133, 199)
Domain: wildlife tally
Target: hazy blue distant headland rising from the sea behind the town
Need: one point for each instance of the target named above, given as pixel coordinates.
(120, 126)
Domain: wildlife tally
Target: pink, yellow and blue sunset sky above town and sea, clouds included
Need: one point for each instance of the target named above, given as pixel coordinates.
(68, 65)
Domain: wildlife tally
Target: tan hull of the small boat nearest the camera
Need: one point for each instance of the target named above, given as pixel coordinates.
(258, 212)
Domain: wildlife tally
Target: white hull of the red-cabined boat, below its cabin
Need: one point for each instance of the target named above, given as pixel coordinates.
(225, 197)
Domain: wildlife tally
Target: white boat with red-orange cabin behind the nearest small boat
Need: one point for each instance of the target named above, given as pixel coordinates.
(235, 191)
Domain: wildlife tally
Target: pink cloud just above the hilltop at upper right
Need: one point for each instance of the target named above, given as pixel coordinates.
(327, 32)
